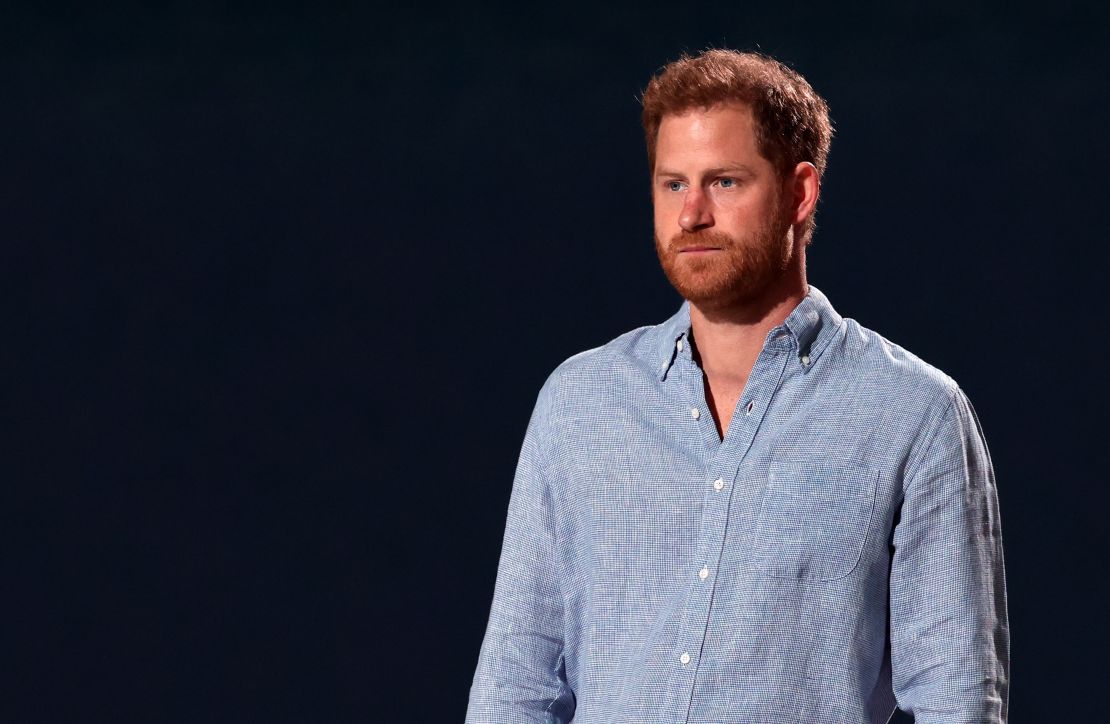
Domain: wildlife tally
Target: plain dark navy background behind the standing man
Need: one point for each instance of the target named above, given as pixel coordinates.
(282, 286)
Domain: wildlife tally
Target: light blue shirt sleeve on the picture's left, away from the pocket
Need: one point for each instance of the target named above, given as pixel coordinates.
(521, 673)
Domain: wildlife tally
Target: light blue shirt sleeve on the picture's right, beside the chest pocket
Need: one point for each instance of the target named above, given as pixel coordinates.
(950, 628)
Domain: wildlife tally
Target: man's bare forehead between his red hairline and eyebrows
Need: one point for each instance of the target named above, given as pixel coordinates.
(722, 130)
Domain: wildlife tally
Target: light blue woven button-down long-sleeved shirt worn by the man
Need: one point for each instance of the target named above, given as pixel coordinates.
(840, 554)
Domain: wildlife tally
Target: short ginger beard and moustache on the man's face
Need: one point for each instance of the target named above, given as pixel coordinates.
(738, 275)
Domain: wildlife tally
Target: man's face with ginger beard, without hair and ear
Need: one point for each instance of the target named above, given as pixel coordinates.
(722, 228)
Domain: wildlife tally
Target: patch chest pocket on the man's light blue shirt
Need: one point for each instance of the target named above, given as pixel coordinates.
(814, 520)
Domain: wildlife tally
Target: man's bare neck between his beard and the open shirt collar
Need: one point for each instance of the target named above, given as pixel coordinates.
(729, 338)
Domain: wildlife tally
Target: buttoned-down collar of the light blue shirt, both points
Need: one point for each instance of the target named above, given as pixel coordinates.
(811, 327)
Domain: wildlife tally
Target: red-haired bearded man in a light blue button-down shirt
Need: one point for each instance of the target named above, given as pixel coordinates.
(759, 511)
